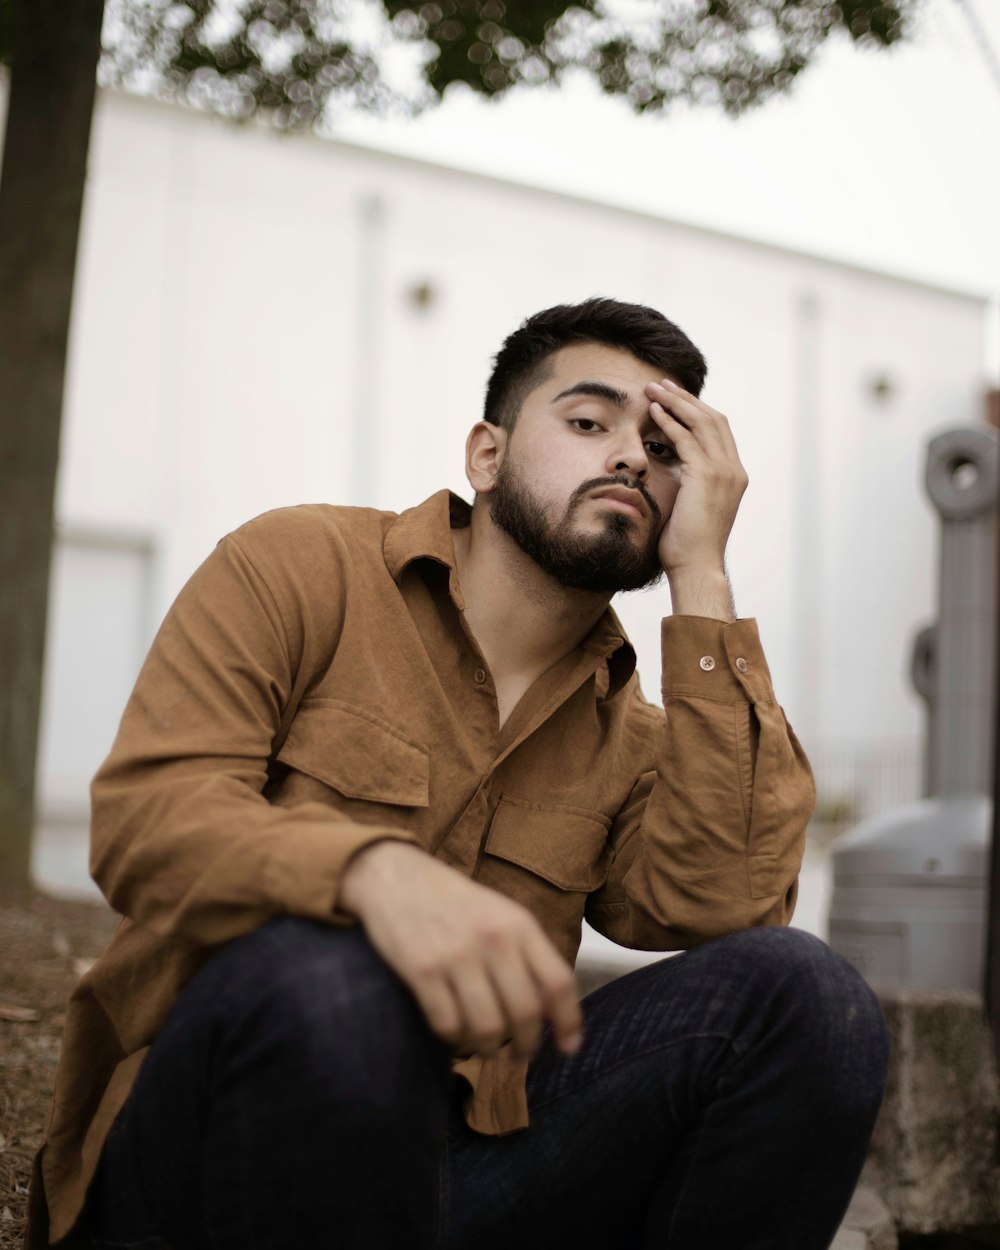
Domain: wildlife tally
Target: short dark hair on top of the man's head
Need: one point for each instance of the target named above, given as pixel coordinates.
(519, 366)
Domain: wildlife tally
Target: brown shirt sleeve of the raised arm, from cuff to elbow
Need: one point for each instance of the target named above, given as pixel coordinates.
(712, 839)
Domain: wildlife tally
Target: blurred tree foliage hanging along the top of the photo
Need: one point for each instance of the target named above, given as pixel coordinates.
(294, 59)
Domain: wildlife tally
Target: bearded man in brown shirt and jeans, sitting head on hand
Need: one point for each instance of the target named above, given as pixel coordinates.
(373, 776)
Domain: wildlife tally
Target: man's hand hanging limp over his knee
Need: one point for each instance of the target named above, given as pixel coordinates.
(478, 963)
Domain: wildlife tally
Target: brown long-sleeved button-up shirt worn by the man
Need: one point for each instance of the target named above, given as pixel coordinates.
(317, 688)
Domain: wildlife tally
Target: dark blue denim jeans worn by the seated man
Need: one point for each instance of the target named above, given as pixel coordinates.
(296, 1099)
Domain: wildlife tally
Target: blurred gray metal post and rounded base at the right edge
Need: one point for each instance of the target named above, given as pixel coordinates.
(909, 904)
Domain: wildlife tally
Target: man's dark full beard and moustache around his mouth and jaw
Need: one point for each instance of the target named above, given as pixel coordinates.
(603, 563)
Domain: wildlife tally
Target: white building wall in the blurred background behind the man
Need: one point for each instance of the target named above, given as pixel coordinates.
(247, 336)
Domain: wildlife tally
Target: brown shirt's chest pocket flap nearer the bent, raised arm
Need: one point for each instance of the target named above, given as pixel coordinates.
(563, 844)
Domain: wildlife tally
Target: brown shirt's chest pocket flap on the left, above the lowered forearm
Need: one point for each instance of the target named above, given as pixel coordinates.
(357, 753)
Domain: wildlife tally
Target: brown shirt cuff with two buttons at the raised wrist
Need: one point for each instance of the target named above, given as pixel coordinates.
(704, 658)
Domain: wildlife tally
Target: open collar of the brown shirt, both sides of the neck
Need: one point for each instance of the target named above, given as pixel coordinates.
(426, 533)
